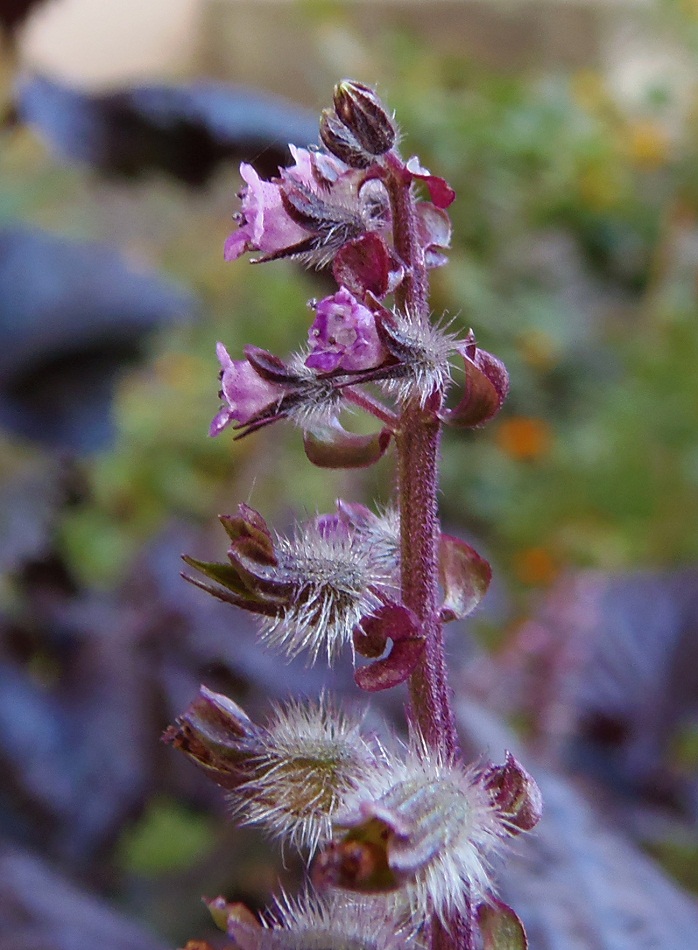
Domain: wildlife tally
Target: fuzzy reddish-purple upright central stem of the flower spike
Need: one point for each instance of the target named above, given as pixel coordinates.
(418, 438)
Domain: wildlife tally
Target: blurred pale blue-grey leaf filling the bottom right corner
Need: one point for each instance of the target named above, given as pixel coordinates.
(576, 881)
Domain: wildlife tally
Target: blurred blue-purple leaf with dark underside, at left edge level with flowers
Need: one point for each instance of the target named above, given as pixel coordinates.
(71, 314)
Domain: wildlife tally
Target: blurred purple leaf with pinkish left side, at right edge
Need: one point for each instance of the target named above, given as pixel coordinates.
(609, 670)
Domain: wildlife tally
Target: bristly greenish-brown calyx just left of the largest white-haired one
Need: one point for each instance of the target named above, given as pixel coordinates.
(311, 757)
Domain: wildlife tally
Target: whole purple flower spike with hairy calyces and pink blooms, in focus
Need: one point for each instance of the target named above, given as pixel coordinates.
(399, 840)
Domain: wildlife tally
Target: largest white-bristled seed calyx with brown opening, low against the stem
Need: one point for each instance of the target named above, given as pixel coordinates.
(423, 828)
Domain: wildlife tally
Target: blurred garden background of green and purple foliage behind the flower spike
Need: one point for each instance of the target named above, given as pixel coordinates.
(569, 129)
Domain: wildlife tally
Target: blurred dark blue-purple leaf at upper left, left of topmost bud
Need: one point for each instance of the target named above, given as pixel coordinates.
(184, 130)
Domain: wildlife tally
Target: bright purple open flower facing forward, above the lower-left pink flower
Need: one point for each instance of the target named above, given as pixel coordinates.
(344, 336)
